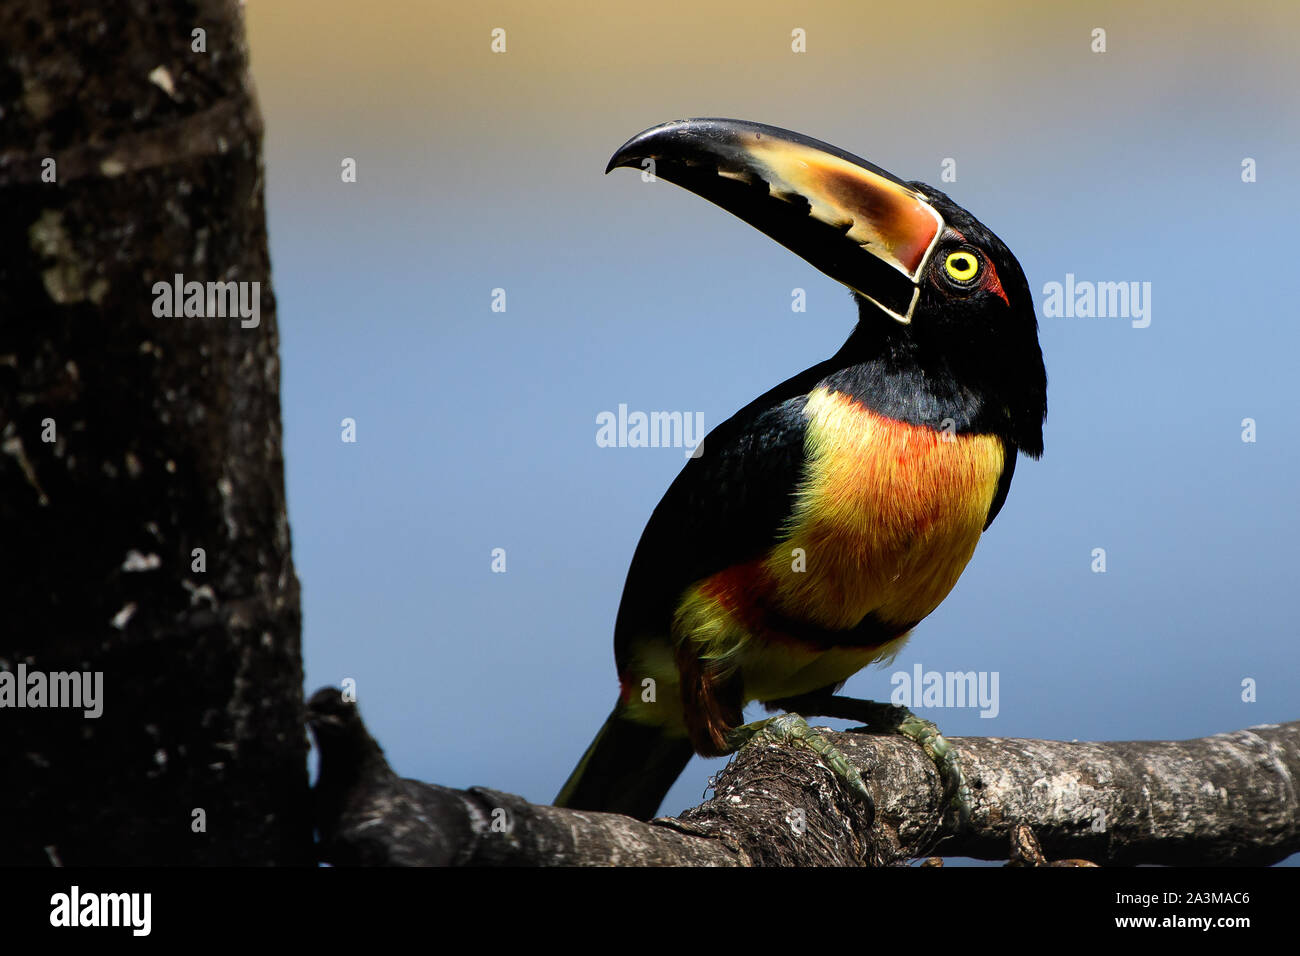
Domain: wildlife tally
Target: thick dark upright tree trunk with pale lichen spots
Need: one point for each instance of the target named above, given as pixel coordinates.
(166, 440)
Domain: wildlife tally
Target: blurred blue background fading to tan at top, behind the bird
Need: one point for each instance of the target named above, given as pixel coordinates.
(476, 430)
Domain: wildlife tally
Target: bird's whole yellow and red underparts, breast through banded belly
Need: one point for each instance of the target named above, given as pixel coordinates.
(885, 522)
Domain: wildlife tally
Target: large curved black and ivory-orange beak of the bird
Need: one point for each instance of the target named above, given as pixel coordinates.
(847, 217)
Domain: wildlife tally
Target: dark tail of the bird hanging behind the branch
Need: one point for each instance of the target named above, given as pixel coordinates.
(629, 769)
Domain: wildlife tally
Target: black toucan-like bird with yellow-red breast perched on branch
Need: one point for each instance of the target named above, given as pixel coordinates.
(822, 522)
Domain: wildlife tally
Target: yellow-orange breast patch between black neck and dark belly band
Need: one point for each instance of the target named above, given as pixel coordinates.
(887, 517)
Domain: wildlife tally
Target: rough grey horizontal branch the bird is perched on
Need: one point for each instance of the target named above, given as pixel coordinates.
(1221, 801)
